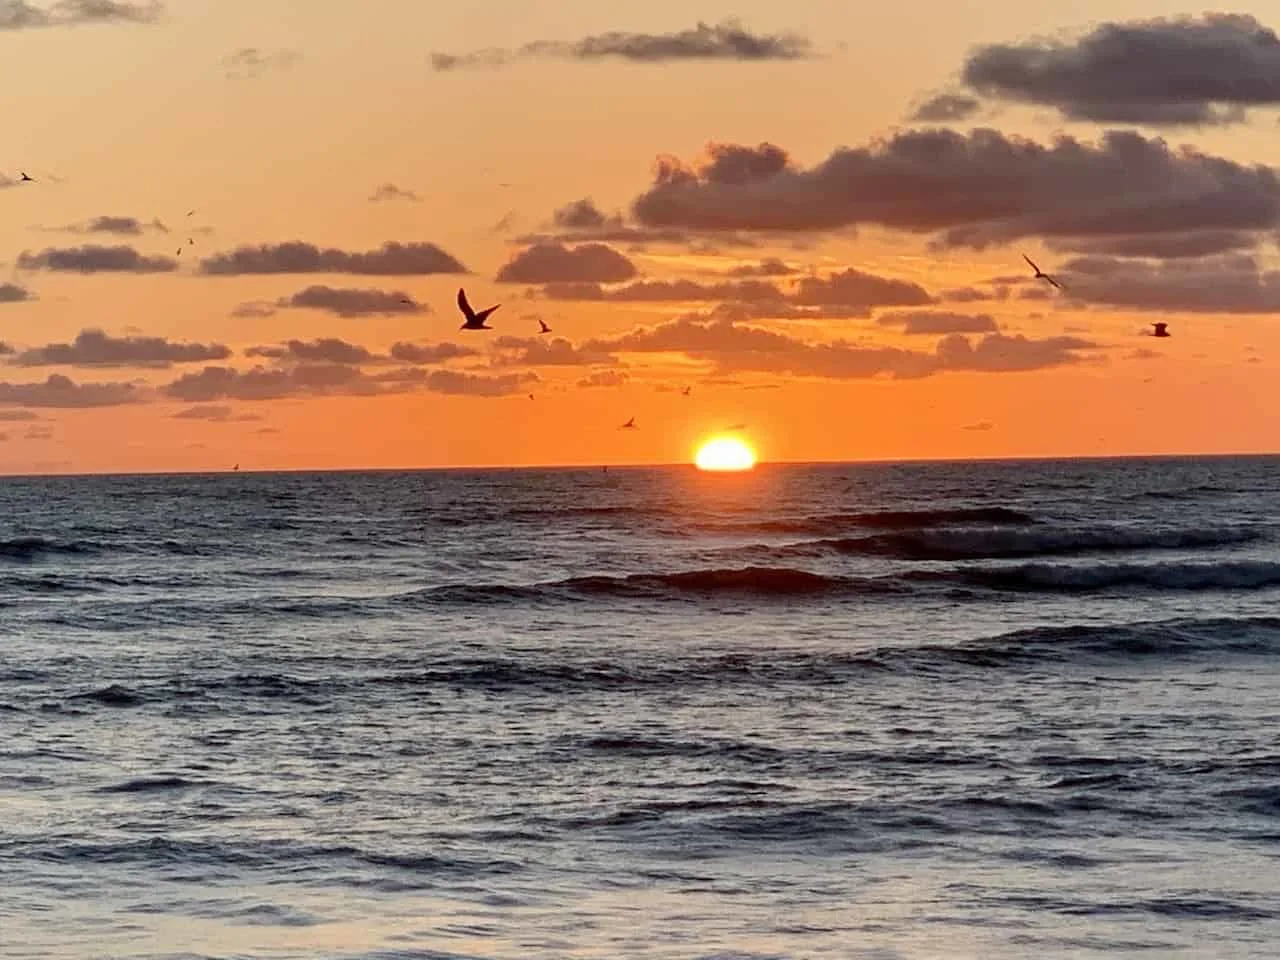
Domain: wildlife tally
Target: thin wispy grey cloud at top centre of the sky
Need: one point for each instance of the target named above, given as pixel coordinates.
(724, 42)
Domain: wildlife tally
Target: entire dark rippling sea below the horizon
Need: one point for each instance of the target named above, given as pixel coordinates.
(932, 711)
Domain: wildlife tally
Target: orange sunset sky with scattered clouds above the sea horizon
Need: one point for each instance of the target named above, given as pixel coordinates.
(796, 222)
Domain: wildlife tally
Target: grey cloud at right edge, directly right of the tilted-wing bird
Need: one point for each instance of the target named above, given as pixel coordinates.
(1233, 284)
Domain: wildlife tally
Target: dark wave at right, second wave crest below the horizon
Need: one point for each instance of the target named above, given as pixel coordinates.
(991, 545)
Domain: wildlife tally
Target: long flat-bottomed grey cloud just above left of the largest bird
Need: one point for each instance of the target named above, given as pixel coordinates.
(296, 258)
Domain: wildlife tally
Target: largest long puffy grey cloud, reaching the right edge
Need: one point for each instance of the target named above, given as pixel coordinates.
(971, 190)
